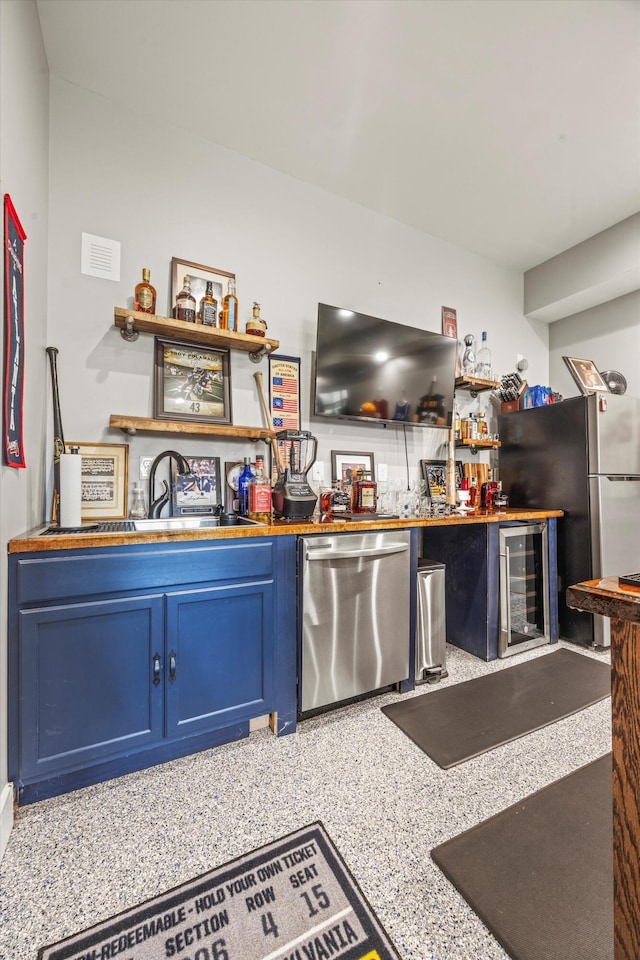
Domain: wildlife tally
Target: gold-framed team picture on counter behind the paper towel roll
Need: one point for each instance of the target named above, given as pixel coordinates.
(105, 474)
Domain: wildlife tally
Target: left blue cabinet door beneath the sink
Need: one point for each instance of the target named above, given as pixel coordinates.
(87, 676)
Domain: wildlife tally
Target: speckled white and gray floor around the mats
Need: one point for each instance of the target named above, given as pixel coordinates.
(79, 858)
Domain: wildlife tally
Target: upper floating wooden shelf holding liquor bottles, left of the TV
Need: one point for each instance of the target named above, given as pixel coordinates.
(131, 322)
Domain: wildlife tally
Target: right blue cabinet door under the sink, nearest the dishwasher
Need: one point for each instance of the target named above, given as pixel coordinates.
(219, 649)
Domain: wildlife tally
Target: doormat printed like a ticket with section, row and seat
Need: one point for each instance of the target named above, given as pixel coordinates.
(293, 899)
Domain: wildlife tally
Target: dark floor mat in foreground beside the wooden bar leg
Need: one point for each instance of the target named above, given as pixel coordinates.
(540, 874)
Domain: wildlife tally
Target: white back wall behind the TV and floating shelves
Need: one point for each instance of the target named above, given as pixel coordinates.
(164, 193)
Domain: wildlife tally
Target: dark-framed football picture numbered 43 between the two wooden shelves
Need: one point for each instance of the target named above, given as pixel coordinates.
(192, 382)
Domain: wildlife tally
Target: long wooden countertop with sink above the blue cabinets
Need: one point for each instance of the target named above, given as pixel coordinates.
(36, 539)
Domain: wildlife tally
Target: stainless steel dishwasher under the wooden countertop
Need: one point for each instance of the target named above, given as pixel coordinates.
(355, 615)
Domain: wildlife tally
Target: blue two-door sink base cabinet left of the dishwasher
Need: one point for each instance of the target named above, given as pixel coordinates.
(124, 657)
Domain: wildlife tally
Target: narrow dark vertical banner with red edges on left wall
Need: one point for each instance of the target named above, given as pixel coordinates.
(14, 237)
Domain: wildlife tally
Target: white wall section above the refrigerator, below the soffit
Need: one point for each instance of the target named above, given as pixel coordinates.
(608, 334)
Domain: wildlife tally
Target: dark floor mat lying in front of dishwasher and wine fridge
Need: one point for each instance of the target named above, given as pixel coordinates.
(466, 719)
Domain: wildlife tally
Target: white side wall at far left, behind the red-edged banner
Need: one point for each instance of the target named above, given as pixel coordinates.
(23, 171)
